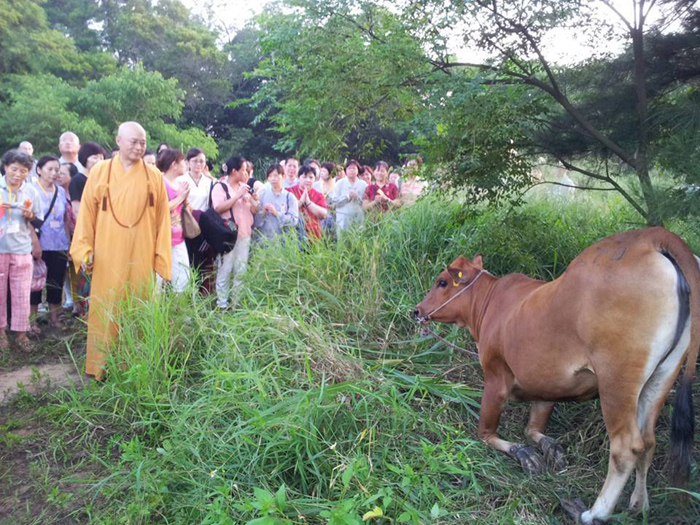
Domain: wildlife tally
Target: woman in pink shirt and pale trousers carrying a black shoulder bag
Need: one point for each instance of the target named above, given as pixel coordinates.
(232, 199)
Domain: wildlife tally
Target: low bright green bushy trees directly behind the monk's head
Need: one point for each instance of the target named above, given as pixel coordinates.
(39, 108)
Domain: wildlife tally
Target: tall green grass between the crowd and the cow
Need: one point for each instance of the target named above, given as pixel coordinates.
(316, 401)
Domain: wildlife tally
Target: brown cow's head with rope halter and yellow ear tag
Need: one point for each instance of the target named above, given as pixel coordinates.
(445, 300)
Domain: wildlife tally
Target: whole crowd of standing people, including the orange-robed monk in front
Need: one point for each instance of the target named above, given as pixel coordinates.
(104, 223)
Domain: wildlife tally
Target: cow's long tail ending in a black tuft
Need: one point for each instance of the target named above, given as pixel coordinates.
(683, 419)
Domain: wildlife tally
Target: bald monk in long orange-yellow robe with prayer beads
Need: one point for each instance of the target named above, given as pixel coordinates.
(122, 236)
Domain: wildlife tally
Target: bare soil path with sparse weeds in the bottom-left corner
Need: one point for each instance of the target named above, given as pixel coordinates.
(42, 480)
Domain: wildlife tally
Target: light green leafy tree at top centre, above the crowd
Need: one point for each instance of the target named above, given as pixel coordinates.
(332, 75)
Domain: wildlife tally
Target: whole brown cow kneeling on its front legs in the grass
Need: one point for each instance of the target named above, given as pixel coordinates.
(619, 323)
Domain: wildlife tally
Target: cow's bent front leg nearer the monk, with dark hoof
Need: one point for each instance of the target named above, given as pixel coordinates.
(496, 389)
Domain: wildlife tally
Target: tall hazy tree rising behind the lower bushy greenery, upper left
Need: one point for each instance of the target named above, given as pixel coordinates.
(163, 36)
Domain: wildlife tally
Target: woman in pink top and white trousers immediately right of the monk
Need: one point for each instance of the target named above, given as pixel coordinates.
(172, 163)
